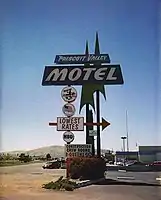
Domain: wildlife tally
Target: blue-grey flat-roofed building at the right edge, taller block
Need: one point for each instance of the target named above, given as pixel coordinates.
(149, 154)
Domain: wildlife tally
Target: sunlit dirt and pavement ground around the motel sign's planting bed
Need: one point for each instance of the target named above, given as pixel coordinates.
(25, 181)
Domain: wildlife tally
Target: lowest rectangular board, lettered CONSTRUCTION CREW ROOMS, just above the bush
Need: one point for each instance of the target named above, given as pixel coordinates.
(78, 150)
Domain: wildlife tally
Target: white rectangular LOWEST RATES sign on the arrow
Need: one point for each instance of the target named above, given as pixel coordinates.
(70, 124)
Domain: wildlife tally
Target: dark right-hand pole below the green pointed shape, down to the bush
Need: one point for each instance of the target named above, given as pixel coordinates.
(98, 127)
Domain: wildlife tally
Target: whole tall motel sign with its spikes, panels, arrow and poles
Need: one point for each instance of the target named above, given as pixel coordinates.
(92, 76)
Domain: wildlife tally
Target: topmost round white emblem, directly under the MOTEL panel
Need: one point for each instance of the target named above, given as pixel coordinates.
(69, 94)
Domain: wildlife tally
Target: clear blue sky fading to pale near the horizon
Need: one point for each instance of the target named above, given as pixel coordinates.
(33, 32)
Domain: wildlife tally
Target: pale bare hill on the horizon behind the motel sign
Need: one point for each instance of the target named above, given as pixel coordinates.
(55, 151)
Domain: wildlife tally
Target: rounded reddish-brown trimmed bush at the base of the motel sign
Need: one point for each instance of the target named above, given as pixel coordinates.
(87, 168)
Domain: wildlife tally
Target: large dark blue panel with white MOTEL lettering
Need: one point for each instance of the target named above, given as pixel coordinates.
(109, 74)
